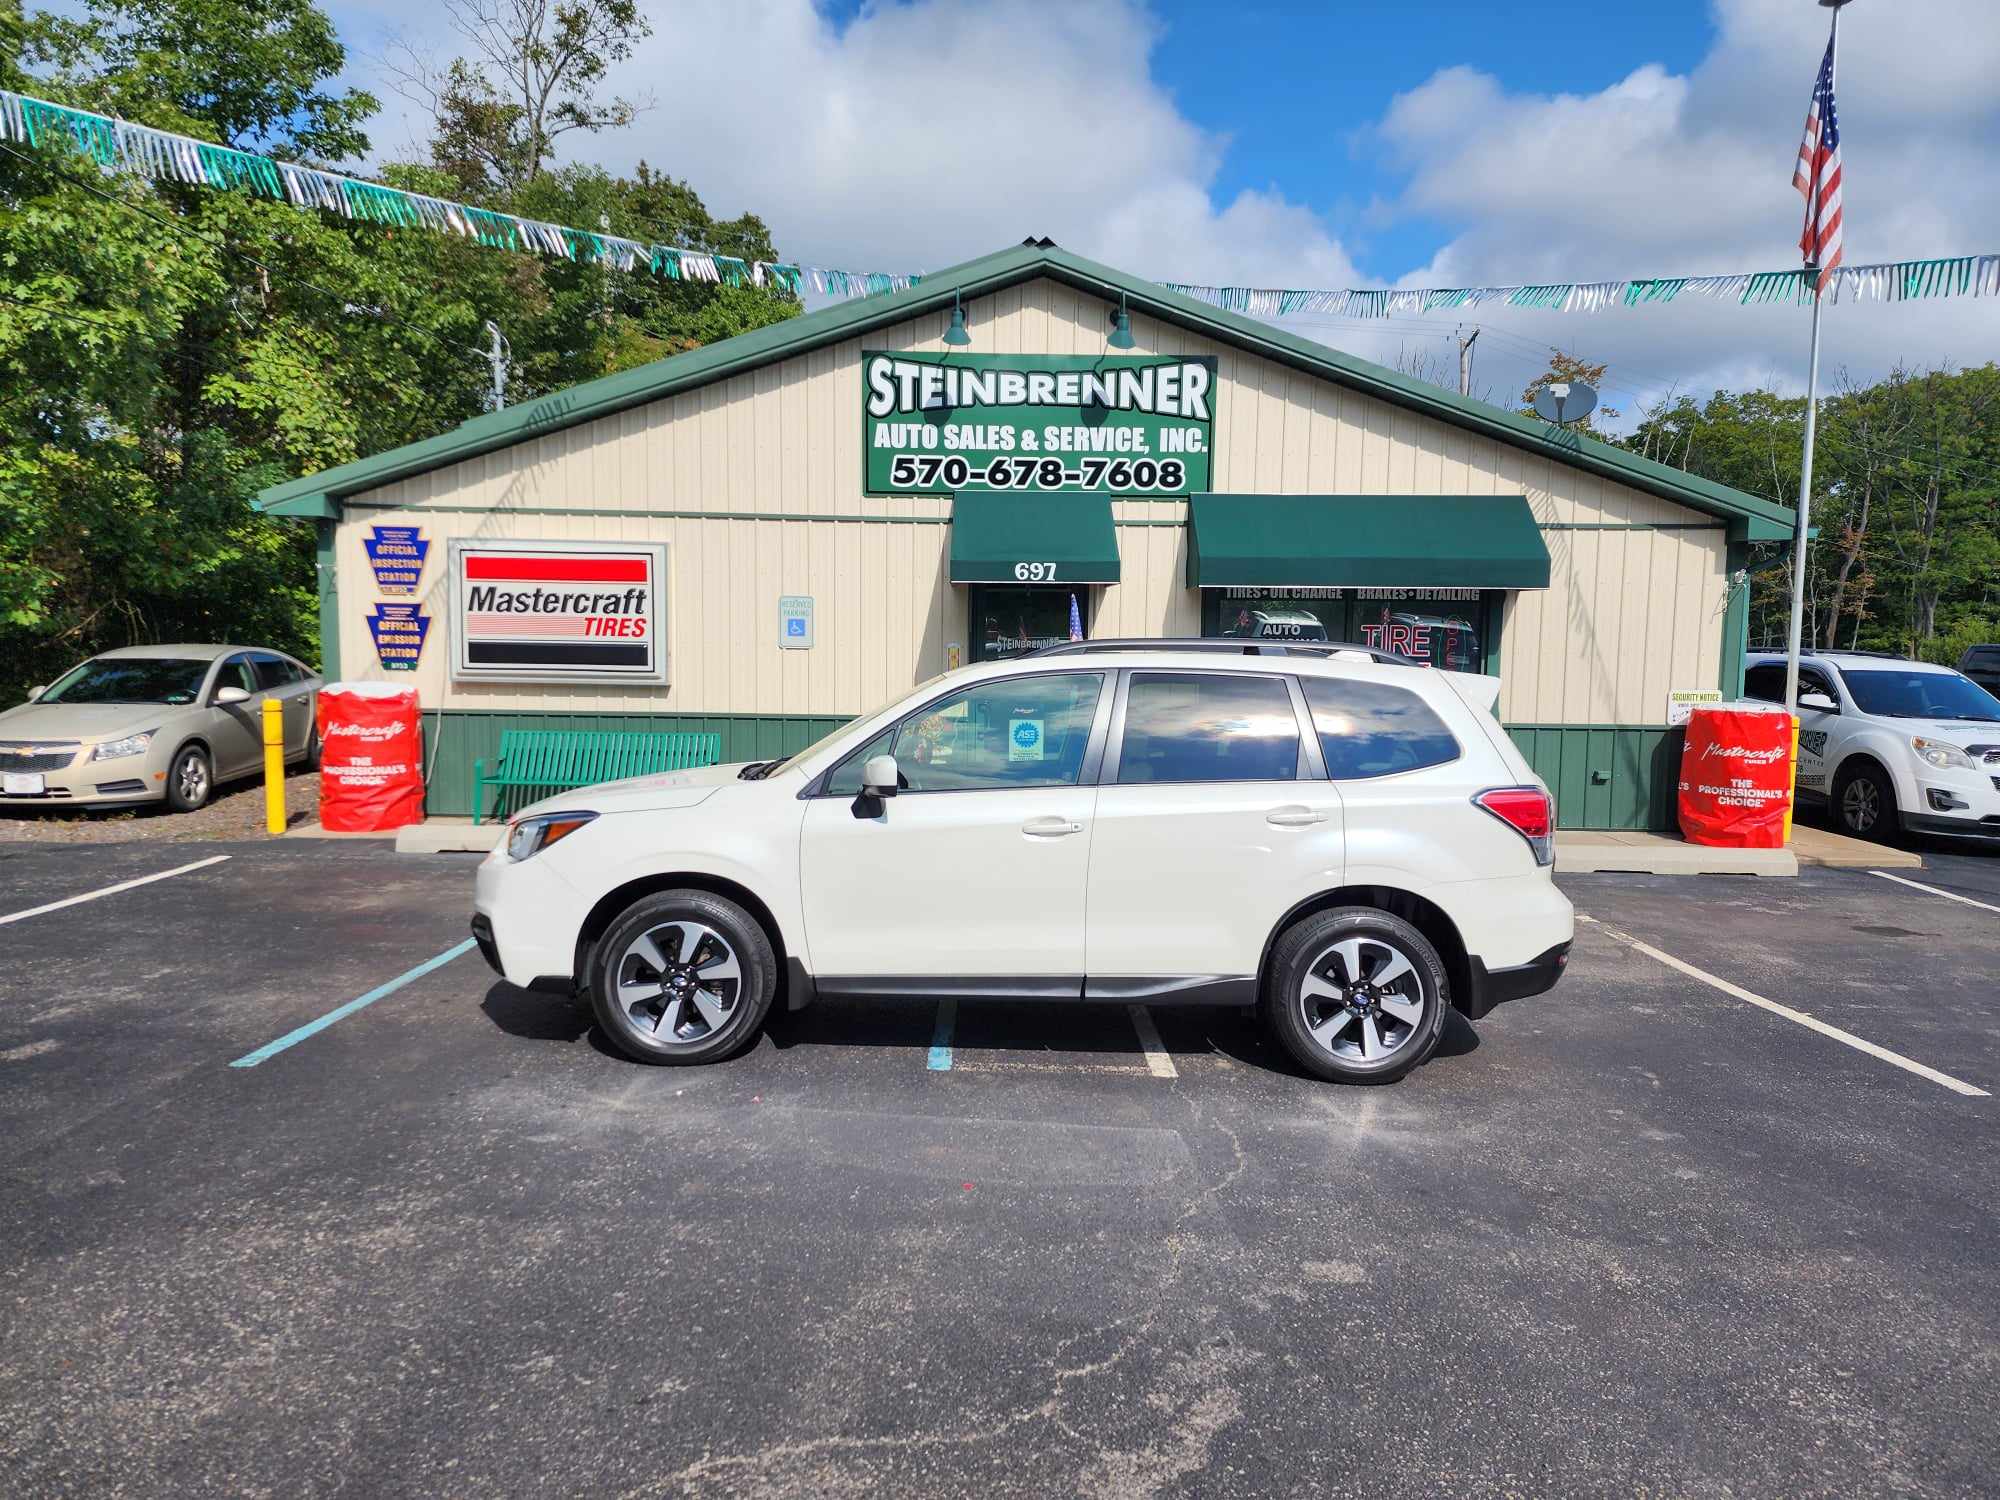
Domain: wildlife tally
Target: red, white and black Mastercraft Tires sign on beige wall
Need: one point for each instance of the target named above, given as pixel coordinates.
(559, 611)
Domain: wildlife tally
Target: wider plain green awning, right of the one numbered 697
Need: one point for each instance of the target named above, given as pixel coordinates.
(1365, 541)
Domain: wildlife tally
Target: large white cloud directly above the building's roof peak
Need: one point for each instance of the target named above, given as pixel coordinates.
(931, 133)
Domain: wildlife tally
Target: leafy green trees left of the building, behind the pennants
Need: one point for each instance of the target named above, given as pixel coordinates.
(169, 351)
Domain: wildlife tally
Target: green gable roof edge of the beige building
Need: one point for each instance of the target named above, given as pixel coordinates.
(319, 495)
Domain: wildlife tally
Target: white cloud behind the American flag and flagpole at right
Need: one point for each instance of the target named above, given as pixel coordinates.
(1683, 175)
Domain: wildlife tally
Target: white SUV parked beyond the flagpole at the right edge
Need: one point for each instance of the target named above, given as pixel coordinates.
(1889, 743)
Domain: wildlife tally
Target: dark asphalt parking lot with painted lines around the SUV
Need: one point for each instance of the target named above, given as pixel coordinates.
(1641, 1235)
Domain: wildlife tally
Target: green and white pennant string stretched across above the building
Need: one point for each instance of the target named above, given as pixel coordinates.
(161, 155)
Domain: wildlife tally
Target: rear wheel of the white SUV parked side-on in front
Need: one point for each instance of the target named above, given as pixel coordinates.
(1307, 951)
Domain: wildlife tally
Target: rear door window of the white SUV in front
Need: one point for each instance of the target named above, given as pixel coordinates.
(1209, 727)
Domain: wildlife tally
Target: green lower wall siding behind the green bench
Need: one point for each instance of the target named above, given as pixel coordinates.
(457, 737)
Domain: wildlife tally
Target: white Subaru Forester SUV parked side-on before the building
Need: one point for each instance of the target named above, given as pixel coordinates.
(1331, 835)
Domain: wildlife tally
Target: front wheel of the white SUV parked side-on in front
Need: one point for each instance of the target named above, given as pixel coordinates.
(617, 975)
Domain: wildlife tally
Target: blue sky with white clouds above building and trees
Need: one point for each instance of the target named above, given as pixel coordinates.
(1419, 143)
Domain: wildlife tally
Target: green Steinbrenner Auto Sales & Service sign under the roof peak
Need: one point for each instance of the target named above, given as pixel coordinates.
(1137, 425)
